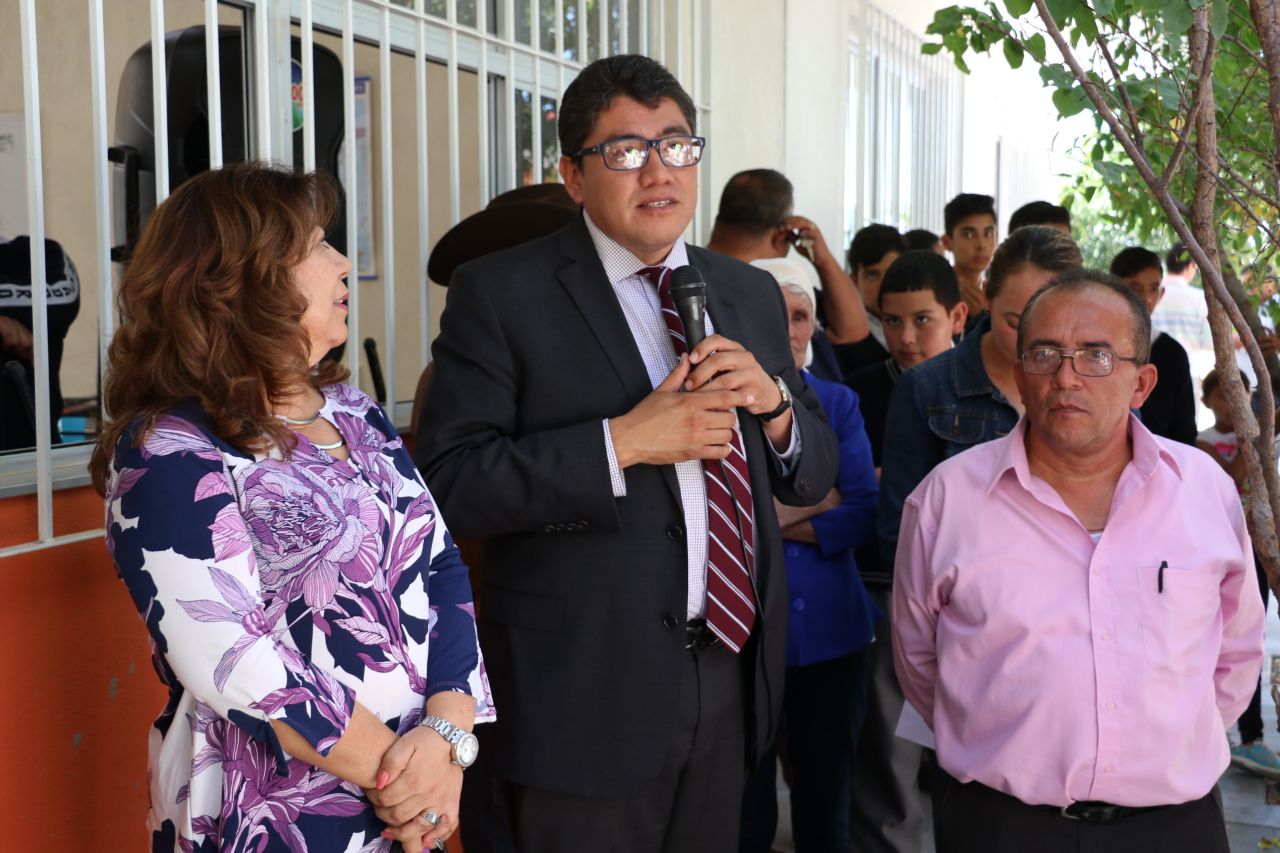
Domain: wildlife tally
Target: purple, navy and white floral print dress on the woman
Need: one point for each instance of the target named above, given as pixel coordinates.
(285, 590)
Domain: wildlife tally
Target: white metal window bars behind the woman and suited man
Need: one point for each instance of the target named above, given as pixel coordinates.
(483, 45)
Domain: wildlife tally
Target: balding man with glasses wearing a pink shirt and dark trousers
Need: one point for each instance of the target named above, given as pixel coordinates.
(1075, 606)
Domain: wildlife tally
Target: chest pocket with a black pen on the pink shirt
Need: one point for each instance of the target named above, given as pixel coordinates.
(1180, 619)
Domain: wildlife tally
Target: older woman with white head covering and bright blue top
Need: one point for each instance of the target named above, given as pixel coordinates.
(831, 618)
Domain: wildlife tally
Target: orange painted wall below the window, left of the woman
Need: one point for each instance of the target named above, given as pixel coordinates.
(79, 688)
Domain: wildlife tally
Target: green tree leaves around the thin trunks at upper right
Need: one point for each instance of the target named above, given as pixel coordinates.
(1137, 52)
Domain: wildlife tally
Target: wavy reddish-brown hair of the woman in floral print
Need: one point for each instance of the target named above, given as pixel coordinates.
(209, 311)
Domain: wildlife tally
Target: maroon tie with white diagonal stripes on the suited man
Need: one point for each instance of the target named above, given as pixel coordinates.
(730, 539)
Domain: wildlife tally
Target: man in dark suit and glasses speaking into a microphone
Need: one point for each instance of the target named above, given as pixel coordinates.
(633, 597)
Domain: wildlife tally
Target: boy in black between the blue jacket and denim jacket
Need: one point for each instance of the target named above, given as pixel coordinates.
(921, 309)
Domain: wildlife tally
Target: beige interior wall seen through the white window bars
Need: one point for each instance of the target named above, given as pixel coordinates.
(68, 163)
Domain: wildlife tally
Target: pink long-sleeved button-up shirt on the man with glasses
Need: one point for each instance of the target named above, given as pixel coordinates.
(1055, 669)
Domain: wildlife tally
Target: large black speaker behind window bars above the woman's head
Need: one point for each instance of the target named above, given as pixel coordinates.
(134, 153)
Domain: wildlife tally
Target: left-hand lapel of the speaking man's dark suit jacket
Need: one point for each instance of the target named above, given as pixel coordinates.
(584, 279)
